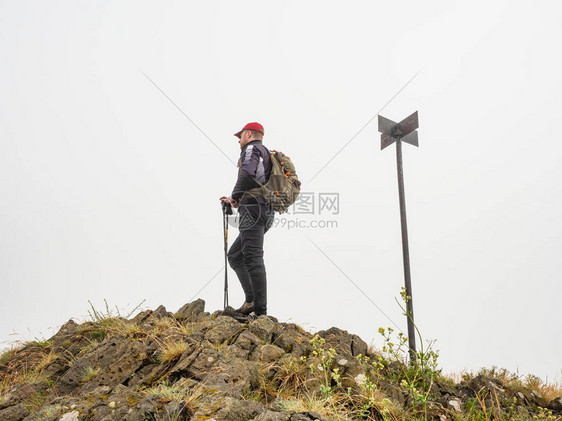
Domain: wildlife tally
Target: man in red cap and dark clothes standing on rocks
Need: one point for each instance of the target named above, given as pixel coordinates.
(256, 217)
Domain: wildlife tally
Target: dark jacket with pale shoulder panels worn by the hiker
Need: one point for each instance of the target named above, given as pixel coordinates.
(254, 163)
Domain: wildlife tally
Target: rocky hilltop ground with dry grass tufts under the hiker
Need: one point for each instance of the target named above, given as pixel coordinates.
(193, 365)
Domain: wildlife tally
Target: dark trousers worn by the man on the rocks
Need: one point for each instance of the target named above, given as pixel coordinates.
(246, 253)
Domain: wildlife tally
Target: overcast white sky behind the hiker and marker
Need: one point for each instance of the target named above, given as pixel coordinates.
(108, 191)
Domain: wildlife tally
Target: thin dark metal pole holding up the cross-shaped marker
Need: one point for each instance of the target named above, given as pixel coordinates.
(406, 254)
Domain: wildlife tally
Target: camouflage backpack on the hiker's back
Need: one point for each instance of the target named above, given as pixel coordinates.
(283, 186)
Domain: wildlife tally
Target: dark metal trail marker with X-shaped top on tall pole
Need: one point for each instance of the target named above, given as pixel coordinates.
(405, 131)
